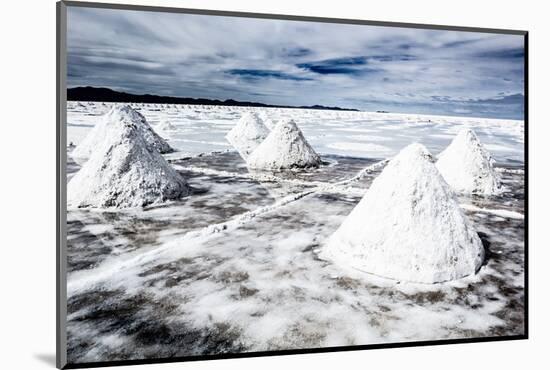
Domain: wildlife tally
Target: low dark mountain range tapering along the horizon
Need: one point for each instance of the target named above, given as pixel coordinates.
(104, 94)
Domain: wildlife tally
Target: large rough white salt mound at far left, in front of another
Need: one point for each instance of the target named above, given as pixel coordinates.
(124, 171)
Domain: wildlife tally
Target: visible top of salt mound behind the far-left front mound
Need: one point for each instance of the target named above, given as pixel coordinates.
(102, 130)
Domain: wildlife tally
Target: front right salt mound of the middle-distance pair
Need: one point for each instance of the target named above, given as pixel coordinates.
(285, 147)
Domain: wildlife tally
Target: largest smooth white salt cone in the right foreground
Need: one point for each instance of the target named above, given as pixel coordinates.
(408, 226)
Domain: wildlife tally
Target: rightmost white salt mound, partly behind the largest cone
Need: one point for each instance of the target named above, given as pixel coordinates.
(467, 166)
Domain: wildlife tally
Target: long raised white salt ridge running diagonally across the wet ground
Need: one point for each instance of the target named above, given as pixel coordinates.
(199, 235)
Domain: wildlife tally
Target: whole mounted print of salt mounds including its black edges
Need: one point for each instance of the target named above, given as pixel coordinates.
(235, 184)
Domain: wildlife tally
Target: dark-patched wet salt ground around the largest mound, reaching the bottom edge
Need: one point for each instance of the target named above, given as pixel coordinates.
(139, 289)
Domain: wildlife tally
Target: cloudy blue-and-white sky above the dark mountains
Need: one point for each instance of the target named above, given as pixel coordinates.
(297, 63)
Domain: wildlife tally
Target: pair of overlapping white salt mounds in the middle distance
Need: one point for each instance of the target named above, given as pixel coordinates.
(282, 147)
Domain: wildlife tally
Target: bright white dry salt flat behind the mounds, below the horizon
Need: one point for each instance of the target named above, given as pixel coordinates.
(363, 134)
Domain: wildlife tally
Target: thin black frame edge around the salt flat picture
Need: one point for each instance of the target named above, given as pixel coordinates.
(61, 196)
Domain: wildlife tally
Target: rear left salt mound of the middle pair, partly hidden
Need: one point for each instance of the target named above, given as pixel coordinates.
(247, 134)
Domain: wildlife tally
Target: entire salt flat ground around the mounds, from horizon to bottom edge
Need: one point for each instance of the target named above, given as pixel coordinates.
(234, 267)
